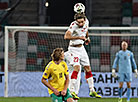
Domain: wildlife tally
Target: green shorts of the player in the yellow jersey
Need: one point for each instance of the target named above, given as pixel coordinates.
(61, 98)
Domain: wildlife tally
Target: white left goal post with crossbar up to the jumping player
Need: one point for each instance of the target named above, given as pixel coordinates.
(10, 44)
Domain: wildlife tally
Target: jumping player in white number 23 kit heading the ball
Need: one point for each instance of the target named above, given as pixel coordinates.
(77, 33)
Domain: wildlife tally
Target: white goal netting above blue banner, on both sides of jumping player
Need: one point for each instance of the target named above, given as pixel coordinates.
(30, 49)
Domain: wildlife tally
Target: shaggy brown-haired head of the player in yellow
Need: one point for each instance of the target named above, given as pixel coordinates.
(58, 54)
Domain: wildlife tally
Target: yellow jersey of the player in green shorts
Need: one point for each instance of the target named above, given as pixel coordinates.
(55, 73)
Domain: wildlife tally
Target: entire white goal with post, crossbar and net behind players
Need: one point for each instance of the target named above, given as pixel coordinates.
(28, 50)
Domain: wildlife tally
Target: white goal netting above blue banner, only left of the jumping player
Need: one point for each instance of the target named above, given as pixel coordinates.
(30, 51)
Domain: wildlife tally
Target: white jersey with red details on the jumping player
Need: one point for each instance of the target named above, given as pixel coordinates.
(76, 31)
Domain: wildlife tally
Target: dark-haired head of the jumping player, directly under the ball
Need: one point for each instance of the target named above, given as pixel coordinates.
(80, 19)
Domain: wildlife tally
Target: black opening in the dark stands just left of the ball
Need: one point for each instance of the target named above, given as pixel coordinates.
(60, 12)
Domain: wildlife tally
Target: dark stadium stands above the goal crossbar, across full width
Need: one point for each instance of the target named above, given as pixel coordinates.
(60, 12)
